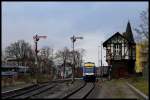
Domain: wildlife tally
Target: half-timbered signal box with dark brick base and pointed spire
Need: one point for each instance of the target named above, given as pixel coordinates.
(121, 53)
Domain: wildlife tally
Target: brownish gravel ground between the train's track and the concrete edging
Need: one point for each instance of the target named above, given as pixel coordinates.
(113, 89)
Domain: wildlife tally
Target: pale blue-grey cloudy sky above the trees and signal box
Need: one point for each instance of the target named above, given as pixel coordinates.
(94, 21)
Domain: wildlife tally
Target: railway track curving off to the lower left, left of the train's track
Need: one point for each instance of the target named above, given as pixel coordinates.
(30, 91)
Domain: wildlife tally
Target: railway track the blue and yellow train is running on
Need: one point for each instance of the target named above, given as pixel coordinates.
(82, 92)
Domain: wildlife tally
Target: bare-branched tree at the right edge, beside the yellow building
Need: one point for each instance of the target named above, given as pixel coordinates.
(143, 33)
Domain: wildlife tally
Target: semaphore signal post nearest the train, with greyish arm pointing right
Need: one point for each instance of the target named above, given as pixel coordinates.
(73, 39)
